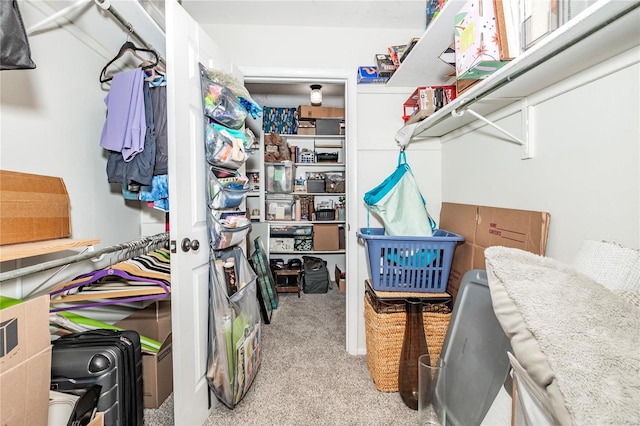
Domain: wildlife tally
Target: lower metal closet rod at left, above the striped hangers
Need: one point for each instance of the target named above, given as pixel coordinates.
(134, 246)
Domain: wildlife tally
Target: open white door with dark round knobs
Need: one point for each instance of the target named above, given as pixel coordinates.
(189, 266)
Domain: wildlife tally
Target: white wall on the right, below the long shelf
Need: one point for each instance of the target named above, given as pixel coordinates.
(586, 171)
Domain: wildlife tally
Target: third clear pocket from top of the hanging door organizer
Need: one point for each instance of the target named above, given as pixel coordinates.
(227, 188)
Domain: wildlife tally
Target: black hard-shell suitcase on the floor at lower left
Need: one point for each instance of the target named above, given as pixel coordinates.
(109, 358)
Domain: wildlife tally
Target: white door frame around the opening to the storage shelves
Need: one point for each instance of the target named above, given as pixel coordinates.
(347, 77)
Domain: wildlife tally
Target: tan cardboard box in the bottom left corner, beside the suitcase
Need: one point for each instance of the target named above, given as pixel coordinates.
(25, 364)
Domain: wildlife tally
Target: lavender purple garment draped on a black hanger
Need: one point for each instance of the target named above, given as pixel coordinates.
(125, 127)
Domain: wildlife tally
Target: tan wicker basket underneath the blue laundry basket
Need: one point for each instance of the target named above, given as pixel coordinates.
(385, 334)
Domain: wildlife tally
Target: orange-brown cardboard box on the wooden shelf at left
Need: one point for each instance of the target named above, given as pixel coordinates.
(32, 208)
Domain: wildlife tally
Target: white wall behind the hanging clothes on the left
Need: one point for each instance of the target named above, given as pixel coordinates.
(51, 119)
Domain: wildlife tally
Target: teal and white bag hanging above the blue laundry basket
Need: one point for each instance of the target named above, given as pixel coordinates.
(399, 203)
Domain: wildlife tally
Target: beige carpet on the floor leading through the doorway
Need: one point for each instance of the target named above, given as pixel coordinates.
(306, 376)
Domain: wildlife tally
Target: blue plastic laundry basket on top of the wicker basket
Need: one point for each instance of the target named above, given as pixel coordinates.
(406, 263)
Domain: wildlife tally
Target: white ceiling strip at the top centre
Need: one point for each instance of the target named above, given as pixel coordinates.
(310, 13)
